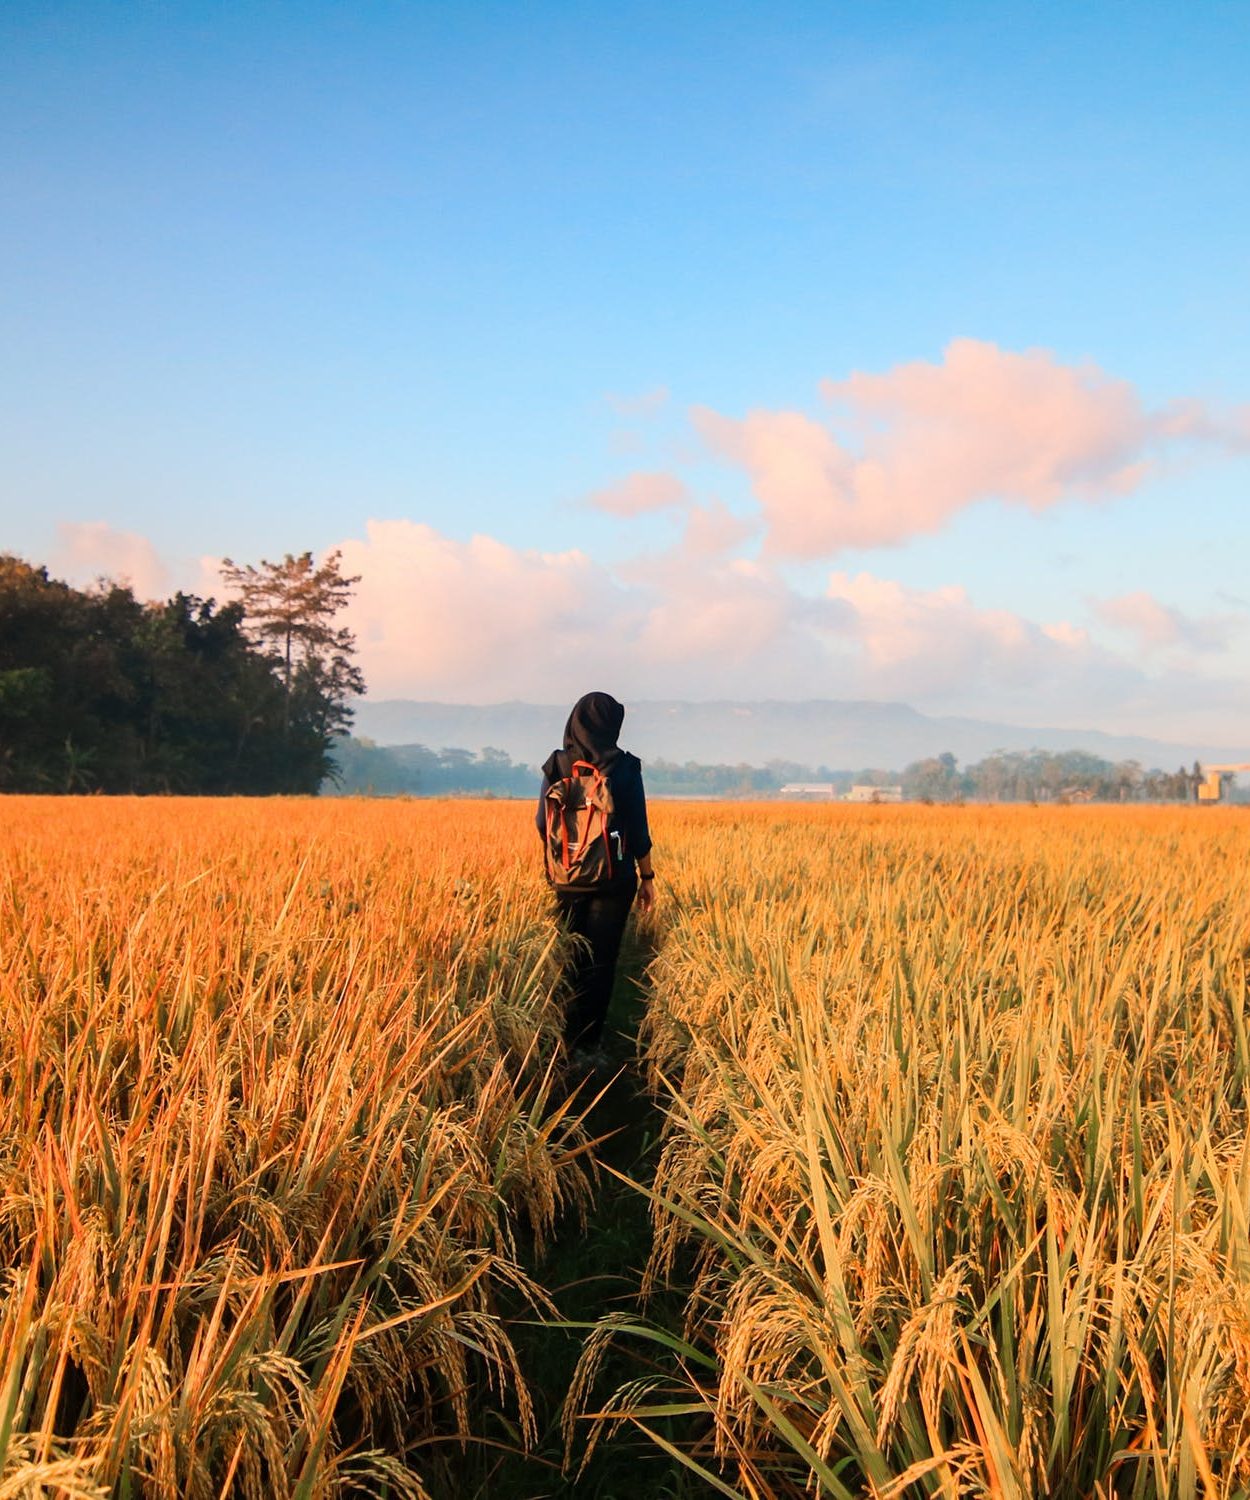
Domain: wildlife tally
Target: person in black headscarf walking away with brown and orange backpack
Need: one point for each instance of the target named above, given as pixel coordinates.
(593, 823)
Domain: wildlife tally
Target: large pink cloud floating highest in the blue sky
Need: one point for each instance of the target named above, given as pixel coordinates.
(901, 454)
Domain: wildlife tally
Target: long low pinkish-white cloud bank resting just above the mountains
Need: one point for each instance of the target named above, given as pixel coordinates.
(481, 622)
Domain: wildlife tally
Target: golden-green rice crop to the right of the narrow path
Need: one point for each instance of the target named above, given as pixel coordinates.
(957, 1160)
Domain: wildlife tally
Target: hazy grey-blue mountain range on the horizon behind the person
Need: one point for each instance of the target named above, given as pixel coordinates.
(843, 736)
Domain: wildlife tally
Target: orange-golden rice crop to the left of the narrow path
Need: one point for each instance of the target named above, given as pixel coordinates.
(277, 1093)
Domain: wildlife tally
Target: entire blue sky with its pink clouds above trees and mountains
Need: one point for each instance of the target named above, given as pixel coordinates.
(272, 274)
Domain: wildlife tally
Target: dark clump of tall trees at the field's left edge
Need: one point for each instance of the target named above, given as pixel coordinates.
(103, 692)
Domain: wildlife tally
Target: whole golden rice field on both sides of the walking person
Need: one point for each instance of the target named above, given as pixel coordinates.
(954, 1180)
